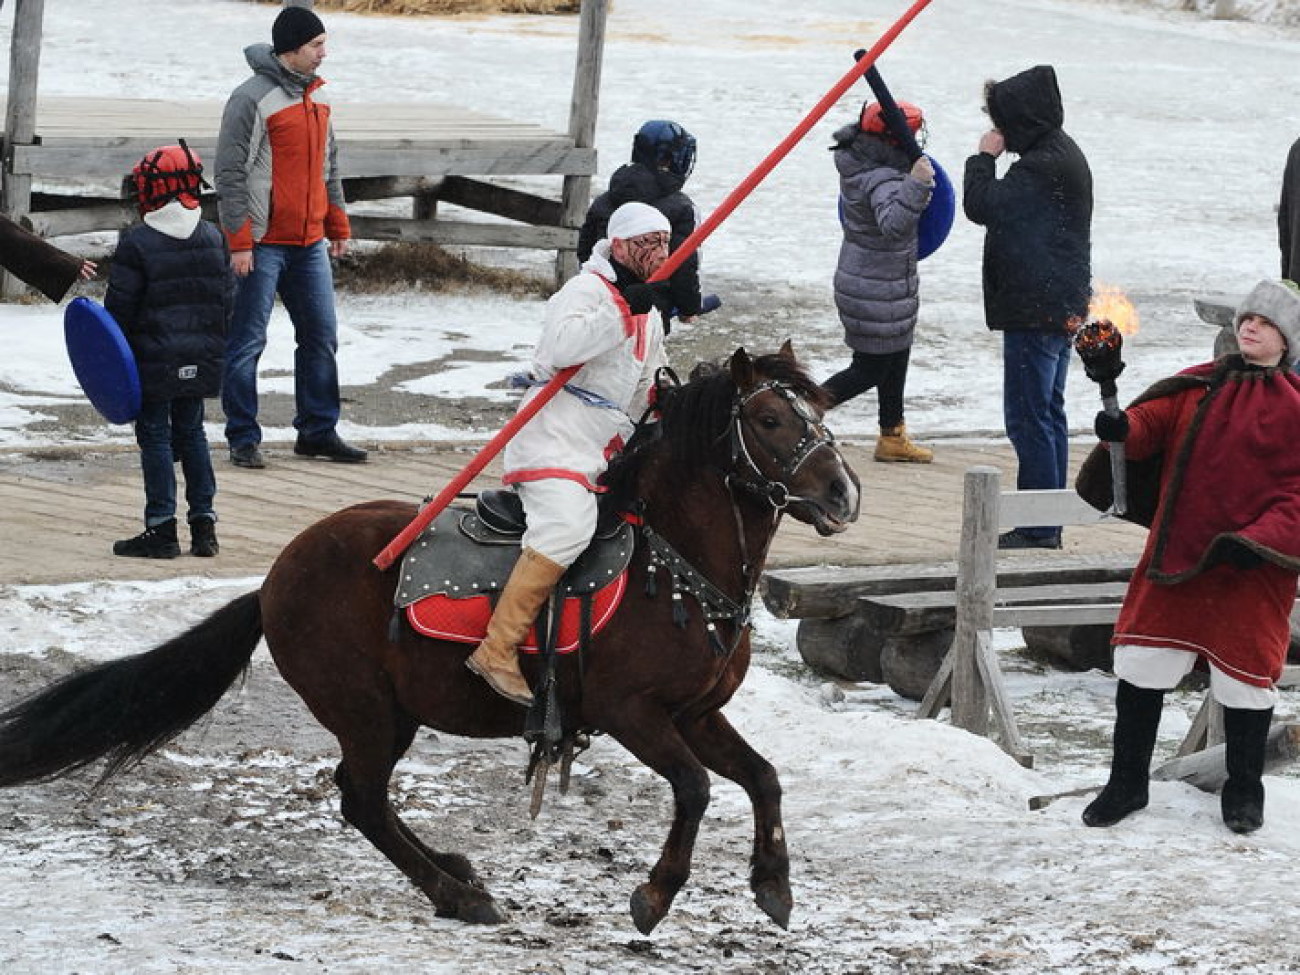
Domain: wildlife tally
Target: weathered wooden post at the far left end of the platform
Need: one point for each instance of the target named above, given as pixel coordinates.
(20, 123)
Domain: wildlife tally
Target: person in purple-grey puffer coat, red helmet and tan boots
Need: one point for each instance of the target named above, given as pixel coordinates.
(882, 198)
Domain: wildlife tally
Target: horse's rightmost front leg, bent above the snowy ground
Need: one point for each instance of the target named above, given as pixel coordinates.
(723, 751)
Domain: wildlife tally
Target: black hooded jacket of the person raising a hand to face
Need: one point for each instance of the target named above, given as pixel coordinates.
(1038, 252)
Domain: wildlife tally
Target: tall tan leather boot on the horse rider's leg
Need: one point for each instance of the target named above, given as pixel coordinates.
(497, 657)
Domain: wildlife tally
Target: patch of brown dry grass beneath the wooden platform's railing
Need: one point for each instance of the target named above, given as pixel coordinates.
(426, 267)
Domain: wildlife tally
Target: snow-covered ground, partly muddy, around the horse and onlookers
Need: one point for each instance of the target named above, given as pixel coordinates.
(915, 850)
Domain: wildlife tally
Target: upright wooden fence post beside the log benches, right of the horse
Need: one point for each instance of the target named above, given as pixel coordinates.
(977, 582)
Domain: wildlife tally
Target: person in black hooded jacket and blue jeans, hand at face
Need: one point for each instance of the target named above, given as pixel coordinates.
(1037, 271)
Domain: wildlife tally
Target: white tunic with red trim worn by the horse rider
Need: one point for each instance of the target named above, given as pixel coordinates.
(588, 323)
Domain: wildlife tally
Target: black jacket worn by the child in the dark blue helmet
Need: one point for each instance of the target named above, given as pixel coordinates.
(662, 190)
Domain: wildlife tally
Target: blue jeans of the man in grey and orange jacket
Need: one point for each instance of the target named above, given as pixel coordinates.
(305, 283)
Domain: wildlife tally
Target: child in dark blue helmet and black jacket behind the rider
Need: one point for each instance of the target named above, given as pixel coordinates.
(664, 154)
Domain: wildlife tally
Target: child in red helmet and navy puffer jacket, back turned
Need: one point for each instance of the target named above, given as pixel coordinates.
(171, 289)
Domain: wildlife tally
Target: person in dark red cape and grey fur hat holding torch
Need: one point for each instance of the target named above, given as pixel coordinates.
(1216, 583)
